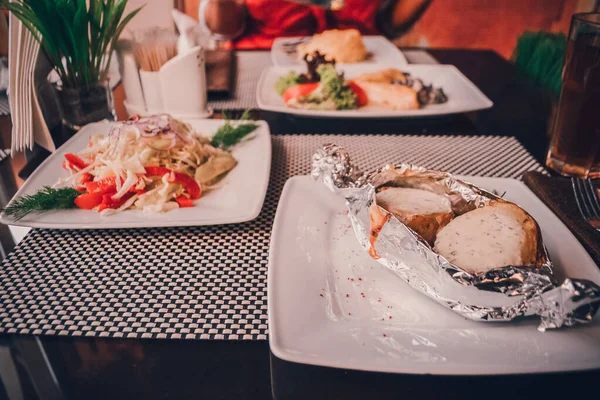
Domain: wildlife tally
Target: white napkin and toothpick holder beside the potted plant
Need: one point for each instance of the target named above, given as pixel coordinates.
(178, 88)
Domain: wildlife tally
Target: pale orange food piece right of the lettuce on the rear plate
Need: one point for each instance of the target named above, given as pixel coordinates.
(387, 95)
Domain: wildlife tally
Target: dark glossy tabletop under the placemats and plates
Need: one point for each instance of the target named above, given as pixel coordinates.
(170, 369)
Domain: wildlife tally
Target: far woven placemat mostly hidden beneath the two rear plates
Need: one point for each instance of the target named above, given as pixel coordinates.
(251, 64)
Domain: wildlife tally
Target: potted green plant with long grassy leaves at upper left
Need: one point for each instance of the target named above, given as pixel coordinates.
(78, 38)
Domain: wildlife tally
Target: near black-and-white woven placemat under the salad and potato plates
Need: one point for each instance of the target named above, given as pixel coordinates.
(201, 282)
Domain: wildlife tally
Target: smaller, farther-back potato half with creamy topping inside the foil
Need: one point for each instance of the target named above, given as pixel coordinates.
(423, 211)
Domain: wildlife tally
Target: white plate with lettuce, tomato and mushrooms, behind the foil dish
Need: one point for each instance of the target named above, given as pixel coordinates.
(463, 95)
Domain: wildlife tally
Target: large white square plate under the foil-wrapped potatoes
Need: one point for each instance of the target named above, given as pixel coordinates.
(331, 304)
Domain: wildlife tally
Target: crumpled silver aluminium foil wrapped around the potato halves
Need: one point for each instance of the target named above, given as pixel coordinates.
(500, 294)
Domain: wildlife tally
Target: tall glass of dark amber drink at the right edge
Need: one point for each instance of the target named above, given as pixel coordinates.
(575, 145)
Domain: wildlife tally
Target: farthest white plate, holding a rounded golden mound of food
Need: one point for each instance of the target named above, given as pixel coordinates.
(381, 50)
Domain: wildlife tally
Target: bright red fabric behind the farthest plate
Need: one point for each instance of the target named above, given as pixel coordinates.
(270, 19)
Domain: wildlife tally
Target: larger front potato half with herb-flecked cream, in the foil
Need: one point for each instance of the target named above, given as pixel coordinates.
(498, 235)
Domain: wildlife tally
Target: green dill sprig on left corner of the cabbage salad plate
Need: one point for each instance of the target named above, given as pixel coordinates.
(45, 200)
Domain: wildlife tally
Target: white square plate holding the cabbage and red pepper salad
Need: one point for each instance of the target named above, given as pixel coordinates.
(238, 198)
